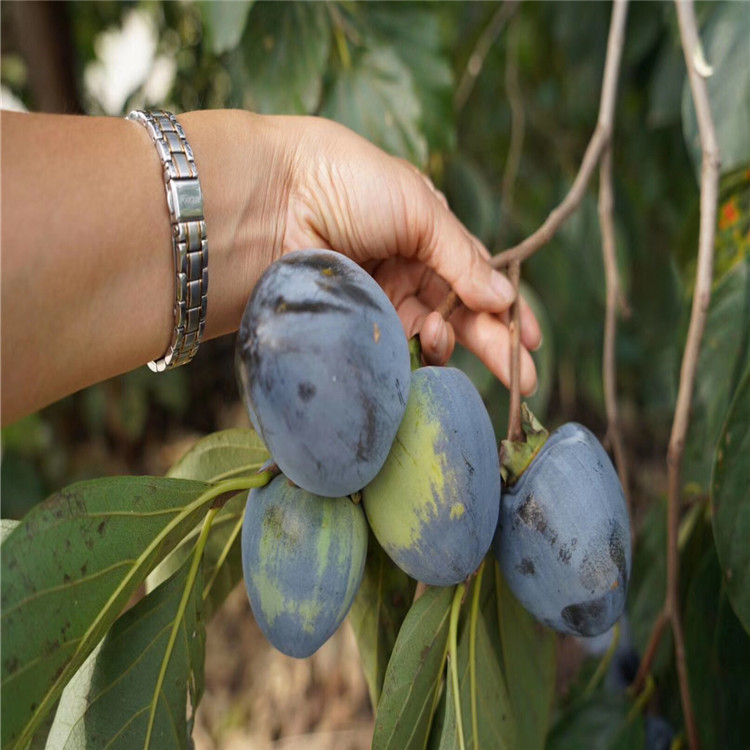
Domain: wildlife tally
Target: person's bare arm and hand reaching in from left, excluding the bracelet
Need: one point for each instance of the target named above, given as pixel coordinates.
(87, 271)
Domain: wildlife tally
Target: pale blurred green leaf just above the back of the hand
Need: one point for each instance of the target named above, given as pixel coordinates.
(376, 97)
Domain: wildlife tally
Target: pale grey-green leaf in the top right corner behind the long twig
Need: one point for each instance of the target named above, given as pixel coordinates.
(725, 45)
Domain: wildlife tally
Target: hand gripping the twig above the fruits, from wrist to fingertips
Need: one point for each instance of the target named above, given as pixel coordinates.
(347, 195)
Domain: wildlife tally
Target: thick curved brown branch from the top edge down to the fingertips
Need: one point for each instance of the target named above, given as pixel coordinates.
(599, 141)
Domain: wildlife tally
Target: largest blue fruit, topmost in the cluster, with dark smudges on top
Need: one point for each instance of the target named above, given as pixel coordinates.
(323, 364)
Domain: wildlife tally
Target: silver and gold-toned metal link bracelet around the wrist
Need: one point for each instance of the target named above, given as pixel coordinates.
(189, 244)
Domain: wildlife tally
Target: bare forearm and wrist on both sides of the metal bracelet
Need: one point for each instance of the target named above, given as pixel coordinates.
(87, 267)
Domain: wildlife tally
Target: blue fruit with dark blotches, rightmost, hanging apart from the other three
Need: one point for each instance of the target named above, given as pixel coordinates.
(563, 539)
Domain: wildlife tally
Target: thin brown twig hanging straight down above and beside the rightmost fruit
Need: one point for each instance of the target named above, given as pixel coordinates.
(614, 296)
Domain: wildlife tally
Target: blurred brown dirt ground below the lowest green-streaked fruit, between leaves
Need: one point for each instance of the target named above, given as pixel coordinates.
(258, 699)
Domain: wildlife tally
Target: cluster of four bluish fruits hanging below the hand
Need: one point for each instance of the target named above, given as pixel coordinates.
(324, 369)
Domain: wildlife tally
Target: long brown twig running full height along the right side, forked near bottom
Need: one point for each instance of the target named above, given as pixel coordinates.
(709, 192)
